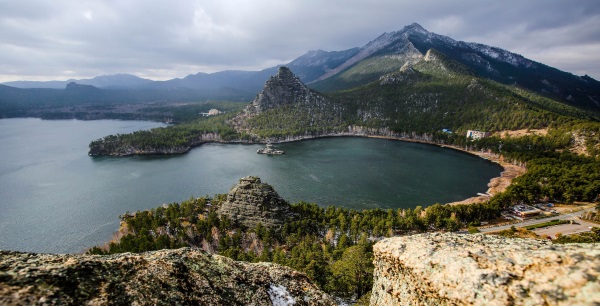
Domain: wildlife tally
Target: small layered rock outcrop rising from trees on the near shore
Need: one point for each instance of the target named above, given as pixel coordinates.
(251, 202)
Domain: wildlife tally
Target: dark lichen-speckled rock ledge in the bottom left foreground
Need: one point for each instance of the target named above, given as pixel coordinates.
(168, 277)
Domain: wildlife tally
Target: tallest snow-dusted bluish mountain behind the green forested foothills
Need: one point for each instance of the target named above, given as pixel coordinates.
(394, 50)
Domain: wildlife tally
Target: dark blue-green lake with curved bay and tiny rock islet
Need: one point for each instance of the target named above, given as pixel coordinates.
(55, 198)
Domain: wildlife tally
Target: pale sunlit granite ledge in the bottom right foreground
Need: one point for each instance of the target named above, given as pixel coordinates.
(451, 269)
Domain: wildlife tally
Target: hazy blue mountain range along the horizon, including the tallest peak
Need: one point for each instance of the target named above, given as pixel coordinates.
(322, 70)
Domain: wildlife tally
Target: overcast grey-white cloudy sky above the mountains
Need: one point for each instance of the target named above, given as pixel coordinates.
(62, 39)
